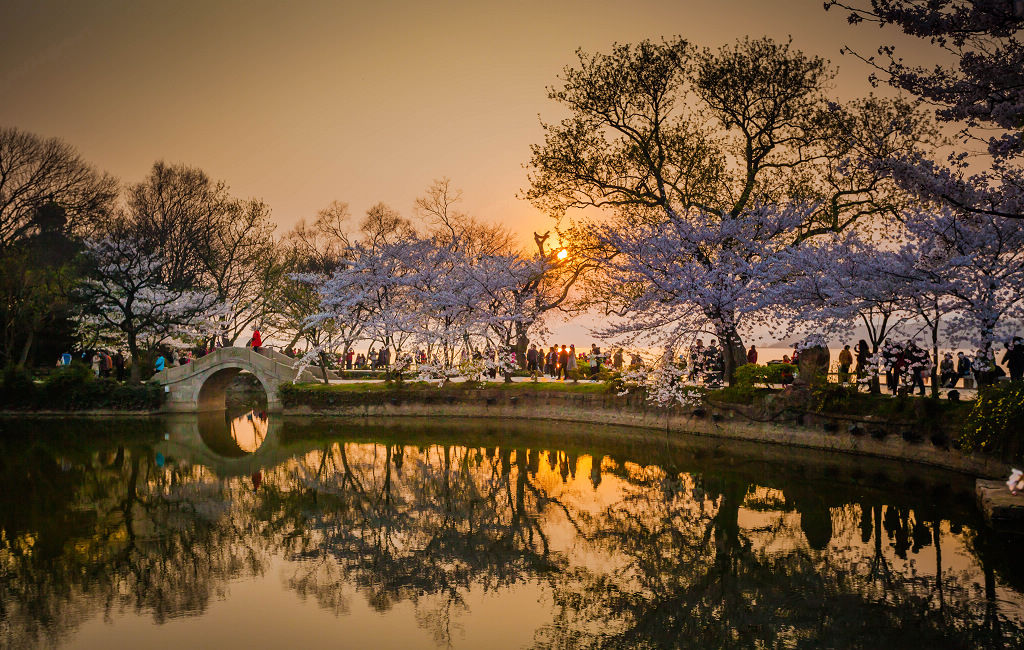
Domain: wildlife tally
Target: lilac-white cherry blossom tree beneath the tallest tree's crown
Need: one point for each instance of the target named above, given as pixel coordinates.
(679, 275)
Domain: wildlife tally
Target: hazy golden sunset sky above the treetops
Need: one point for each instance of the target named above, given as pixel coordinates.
(306, 103)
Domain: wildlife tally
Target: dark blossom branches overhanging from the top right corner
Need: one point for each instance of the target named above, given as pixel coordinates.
(980, 93)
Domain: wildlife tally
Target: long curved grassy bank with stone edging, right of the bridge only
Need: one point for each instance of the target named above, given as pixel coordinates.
(886, 438)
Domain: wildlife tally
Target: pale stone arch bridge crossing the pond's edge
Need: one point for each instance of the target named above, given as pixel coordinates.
(200, 385)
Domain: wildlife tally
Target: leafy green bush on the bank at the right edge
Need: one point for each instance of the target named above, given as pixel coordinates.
(996, 424)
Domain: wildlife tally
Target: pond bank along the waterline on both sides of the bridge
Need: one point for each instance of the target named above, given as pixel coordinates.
(913, 430)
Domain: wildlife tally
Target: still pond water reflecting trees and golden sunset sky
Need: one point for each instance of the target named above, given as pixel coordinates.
(292, 534)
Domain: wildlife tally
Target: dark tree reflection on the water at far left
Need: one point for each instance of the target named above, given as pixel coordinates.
(108, 533)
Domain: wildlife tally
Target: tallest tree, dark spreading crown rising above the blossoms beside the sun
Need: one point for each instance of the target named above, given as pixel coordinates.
(663, 134)
